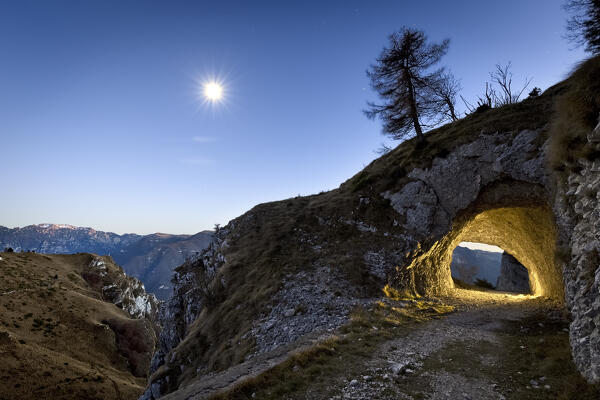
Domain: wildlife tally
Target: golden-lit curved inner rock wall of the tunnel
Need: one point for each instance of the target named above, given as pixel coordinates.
(526, 232)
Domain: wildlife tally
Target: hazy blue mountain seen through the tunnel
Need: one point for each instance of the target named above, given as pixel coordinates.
(469, 265)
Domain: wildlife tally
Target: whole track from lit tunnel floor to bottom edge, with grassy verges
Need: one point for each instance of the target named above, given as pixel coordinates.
(493, 347)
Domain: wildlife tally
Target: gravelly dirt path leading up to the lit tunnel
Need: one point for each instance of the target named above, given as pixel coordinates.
(448, 358)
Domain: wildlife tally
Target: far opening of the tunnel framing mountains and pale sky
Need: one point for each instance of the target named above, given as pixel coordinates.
(480, 266)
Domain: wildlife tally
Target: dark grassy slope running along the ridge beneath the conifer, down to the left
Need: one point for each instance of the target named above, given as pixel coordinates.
(270, 239)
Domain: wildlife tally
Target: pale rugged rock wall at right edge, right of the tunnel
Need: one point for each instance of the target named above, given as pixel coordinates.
(577, 209)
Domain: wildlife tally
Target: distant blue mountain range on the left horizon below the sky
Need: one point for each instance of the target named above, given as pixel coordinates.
(150, 258)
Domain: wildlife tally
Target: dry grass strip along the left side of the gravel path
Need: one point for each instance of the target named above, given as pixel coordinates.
(316, 368)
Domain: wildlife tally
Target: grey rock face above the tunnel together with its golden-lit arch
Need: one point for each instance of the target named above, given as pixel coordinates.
(490, 190)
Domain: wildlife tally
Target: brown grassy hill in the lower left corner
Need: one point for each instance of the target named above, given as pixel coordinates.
(52, 340)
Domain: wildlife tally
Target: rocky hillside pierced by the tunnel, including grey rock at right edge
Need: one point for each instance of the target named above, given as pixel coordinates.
(392, 227)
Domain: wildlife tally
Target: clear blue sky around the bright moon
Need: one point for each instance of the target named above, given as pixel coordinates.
(101, 124)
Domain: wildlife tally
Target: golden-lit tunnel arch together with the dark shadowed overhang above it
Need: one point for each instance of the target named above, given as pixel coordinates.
(512, 215)
